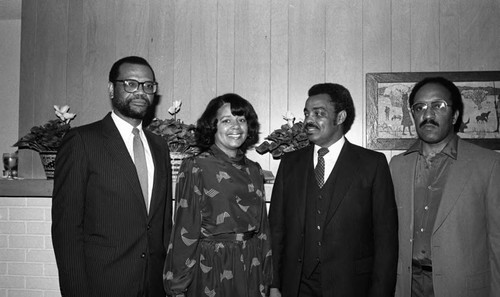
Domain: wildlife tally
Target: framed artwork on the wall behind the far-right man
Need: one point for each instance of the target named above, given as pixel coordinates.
(389, 123)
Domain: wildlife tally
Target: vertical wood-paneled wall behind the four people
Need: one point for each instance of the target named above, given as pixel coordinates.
(268, 51)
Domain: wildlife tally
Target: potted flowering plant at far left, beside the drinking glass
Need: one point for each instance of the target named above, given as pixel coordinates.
(48, 137)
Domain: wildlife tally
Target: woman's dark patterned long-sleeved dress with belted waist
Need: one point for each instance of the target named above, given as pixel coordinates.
(220, 244)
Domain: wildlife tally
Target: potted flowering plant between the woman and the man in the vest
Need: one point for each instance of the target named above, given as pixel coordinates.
(290, 137)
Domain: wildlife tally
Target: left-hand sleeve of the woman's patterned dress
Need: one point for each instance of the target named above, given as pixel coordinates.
(183, 252)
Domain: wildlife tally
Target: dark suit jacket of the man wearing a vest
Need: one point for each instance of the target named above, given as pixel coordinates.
(359, 245)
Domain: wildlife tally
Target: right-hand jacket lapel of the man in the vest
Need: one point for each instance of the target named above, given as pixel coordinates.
(341, 178)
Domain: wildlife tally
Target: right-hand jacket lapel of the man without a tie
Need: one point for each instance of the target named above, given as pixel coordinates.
(457, 179)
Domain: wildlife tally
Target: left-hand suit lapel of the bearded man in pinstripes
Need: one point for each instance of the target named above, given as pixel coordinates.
(118, 151)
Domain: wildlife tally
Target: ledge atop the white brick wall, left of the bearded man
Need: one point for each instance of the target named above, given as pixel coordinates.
(26, 188)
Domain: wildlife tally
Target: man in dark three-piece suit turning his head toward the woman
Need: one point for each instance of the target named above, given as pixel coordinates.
(333, 216)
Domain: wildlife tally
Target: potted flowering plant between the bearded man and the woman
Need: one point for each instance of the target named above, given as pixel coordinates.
(179, 136)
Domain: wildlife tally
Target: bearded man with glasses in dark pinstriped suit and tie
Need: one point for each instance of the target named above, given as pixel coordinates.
(111, 211)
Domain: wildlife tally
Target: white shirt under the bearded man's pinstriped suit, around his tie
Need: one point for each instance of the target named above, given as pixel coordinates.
(125, 130)
